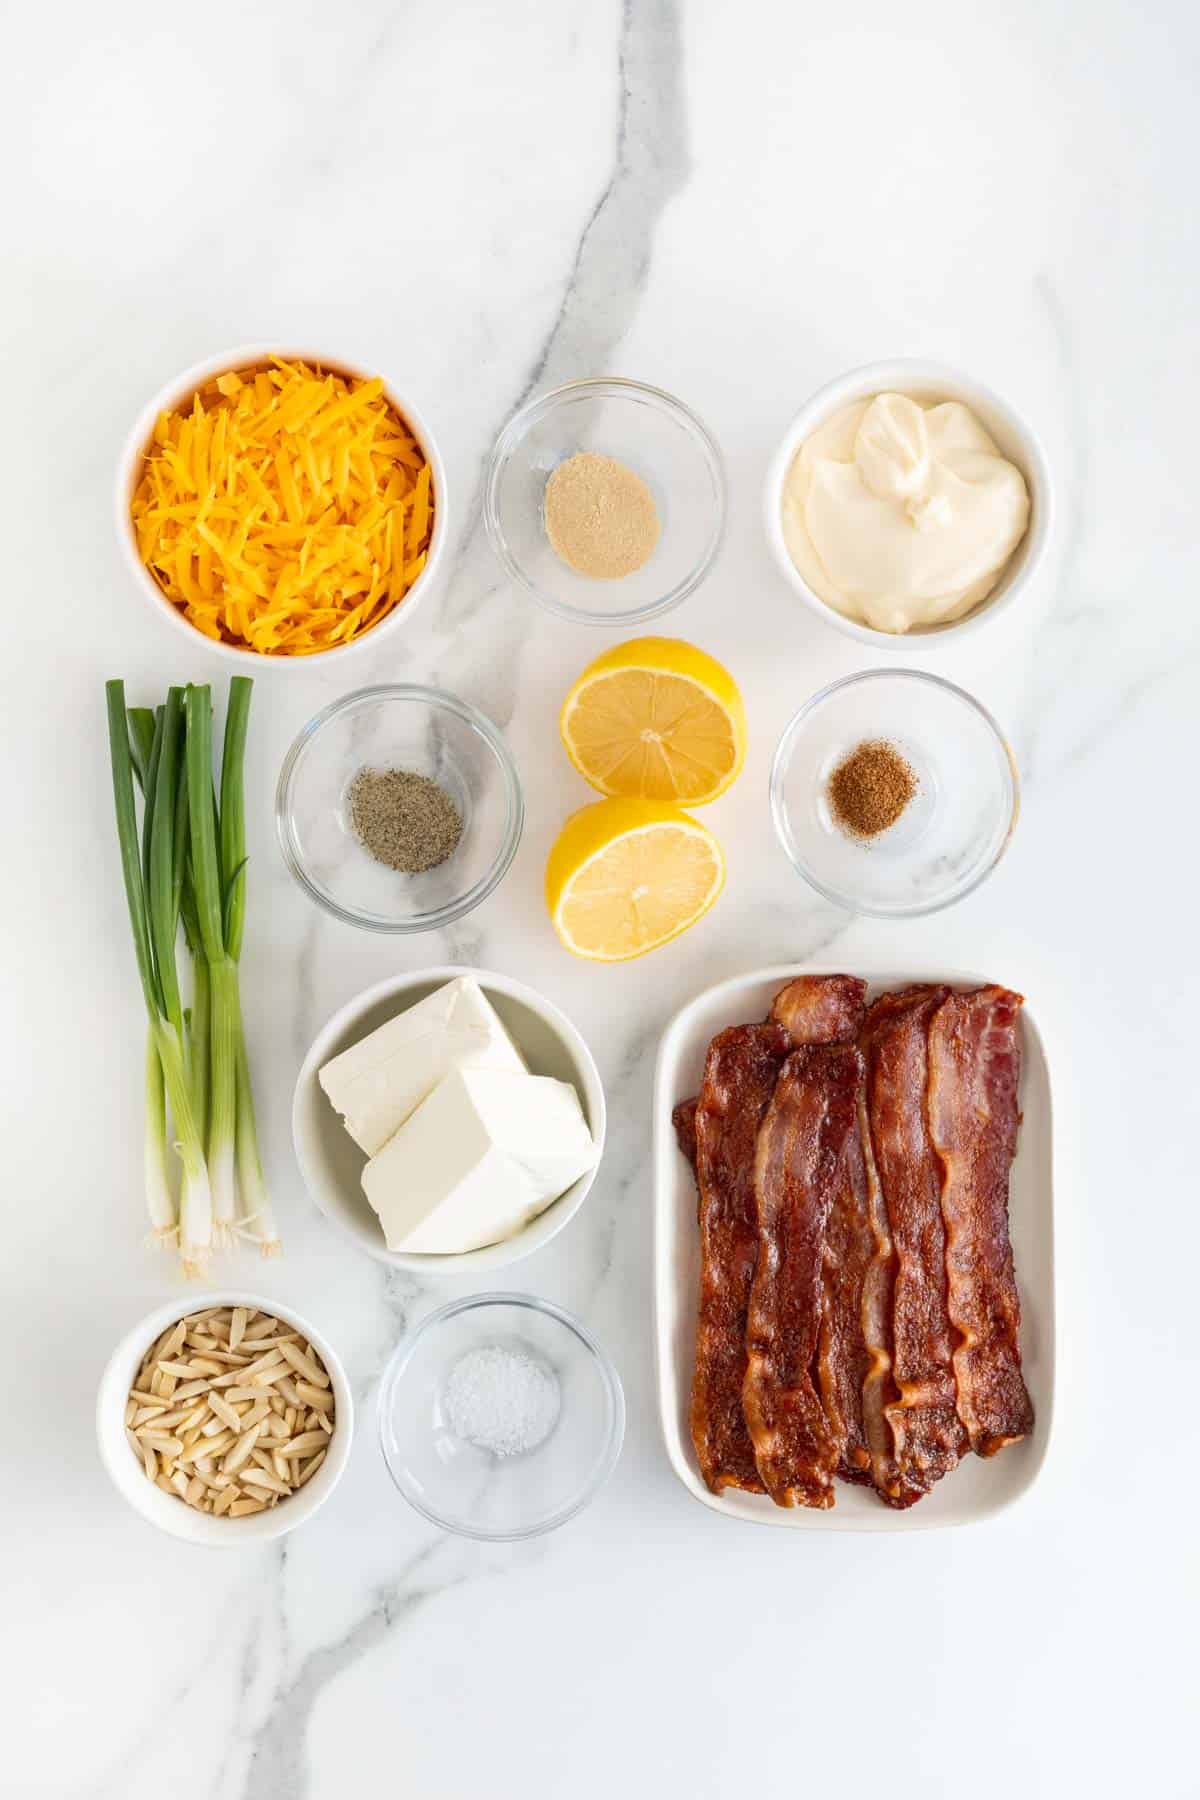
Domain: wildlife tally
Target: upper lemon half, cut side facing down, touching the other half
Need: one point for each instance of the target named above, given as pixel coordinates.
(659, 719)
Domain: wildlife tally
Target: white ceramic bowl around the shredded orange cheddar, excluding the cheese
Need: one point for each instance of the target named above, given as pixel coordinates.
(253, 355)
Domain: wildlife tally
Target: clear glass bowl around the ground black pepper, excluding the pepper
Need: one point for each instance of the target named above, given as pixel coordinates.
(399, 728)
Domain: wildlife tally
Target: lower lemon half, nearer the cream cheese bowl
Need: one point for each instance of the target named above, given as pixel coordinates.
(627, 876)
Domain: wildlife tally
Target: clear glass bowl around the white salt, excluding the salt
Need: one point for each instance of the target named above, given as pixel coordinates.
(472, 1491)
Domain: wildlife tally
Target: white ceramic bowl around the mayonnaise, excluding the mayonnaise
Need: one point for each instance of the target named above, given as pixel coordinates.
(1014, 435)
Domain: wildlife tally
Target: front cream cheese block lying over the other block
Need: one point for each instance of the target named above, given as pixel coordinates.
(483, 1156)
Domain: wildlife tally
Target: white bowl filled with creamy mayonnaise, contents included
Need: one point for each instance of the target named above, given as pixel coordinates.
(908, 503)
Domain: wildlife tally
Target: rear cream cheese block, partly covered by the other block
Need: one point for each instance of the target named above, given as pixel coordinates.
(379, 1083)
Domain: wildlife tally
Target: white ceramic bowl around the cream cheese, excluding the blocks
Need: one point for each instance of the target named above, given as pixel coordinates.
(332, 1162)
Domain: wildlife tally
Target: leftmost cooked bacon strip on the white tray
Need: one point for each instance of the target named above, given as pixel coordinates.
(739, 1081)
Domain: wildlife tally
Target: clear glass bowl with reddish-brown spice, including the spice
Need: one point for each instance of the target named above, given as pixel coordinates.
(893, 793)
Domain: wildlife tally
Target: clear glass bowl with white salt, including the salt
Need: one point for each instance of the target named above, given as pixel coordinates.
(501, 1417)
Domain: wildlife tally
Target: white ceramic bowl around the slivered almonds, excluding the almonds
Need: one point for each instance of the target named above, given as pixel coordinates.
(168, 1513)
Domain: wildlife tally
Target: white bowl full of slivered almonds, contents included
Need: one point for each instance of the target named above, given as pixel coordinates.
(224, 1421)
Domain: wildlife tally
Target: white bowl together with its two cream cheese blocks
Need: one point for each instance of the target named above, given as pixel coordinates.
(359, 1081)
